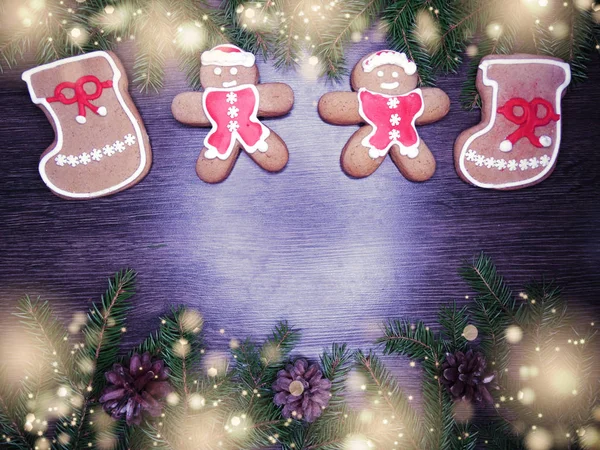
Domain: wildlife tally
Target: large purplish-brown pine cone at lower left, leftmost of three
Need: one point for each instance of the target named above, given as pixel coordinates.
(136, 389)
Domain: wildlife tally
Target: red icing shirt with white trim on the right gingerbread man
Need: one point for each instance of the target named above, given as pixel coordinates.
(393, 120)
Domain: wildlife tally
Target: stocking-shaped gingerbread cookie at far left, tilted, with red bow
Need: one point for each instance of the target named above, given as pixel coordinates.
(100, 146)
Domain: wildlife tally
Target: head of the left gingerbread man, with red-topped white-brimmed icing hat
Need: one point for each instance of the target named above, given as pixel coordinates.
(227, 66)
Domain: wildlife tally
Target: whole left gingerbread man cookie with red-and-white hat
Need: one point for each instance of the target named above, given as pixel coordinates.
(231, 103)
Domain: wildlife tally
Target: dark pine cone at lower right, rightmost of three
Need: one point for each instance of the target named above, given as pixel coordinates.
(465, 377)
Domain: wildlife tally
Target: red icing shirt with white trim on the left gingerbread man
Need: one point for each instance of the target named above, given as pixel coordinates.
(232, 113)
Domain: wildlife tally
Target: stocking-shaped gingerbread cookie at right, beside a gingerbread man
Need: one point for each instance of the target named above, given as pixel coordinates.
(516, 144)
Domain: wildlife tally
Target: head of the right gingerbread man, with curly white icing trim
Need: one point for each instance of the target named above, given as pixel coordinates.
(386, 72)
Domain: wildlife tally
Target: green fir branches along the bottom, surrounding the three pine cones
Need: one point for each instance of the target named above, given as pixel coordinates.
(226, 402)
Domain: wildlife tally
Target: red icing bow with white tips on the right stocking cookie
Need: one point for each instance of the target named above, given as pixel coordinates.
(528, 121)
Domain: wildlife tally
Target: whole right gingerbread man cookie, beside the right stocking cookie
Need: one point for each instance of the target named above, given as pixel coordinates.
(391, 106)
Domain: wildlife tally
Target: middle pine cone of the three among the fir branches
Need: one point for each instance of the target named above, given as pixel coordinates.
(302, 391)
